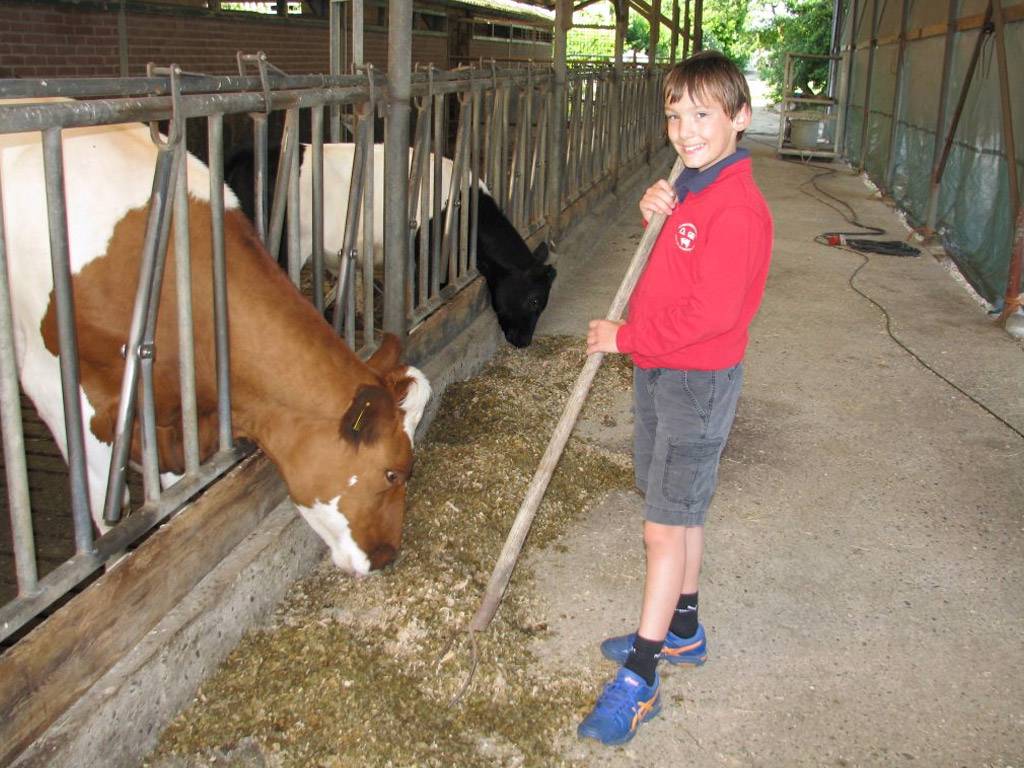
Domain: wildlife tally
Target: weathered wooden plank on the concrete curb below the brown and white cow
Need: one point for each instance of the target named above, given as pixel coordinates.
(49, 670)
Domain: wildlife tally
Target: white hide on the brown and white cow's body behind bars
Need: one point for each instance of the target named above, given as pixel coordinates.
(108, 173)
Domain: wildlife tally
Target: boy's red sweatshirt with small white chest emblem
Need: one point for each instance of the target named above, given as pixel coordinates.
(705, 279)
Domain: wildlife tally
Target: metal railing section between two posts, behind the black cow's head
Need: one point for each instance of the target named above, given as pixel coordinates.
(489, 127)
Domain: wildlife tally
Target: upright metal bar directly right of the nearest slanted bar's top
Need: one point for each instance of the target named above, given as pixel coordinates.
(187, 346)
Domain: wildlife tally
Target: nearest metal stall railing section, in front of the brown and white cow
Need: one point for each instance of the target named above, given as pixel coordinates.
(190, 99)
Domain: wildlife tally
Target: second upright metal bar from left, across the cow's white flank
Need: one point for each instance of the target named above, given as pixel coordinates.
(68, 336)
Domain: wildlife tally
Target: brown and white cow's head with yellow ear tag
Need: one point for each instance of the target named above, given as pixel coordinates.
(348, 476)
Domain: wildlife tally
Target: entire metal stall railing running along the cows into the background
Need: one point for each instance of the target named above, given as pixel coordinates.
(472, 126)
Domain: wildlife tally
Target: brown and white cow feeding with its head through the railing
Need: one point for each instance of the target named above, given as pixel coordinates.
(339, 431)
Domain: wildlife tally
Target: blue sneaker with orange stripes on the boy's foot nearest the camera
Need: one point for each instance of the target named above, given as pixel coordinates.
(624, 704)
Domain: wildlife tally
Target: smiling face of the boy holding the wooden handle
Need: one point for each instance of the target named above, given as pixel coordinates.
(702, 132)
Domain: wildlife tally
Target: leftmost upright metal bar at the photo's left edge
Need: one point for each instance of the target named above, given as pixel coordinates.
(17, 473)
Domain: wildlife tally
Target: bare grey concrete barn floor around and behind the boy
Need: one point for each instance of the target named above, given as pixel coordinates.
(864, 582)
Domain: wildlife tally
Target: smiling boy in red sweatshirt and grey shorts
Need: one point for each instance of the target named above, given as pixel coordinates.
(687, 331)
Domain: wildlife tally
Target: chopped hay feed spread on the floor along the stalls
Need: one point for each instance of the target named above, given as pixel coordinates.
(364, 673)
